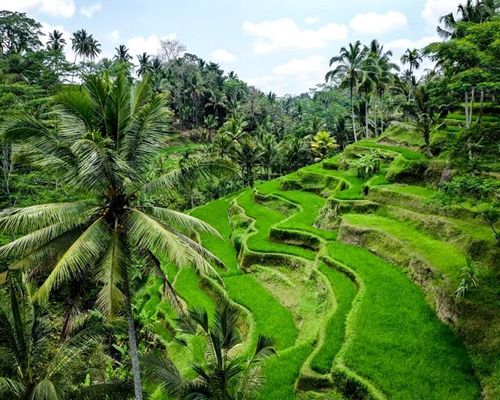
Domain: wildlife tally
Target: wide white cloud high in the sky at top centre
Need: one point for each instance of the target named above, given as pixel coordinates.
(284, 34)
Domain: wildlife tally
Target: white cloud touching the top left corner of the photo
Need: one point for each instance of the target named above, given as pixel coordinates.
(53, 8)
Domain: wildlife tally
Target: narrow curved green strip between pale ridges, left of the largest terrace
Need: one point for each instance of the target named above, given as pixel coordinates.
(345, 291)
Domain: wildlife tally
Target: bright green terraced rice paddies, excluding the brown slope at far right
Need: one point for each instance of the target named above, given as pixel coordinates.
(346, 322)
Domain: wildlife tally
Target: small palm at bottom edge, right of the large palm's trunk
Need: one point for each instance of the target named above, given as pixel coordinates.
(221, 375)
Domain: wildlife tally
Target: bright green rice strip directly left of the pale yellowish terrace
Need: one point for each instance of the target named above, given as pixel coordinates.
(271, 318)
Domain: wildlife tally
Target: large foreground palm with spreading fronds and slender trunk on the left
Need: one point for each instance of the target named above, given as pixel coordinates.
(108, 134)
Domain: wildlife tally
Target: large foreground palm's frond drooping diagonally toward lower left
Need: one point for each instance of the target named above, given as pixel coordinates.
(82, 254)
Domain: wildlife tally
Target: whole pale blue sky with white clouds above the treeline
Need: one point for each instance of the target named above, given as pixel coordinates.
(283, 46)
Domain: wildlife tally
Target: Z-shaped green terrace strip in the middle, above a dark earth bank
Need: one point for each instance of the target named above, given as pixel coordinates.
(265, 218)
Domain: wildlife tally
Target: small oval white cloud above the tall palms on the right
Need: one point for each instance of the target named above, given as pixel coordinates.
(372, 23)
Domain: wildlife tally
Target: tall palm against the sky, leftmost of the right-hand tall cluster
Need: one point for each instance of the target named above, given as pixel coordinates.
(349, 70)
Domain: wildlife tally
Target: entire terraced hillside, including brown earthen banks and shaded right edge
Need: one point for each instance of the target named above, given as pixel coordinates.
(353, 278)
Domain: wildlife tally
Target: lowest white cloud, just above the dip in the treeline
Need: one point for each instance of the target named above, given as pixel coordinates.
(292, 77)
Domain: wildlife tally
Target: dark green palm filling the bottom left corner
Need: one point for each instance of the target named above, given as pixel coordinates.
(33, 363)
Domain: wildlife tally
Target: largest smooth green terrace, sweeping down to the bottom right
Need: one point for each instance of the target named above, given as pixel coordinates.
(396, 341)
